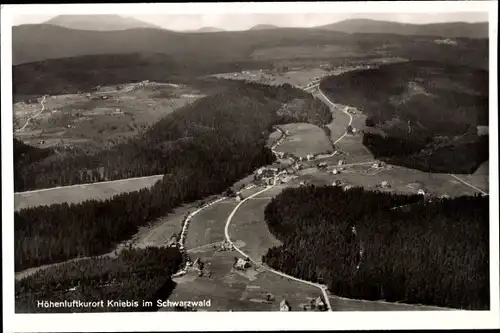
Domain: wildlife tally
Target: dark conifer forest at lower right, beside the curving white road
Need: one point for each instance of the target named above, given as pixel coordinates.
(434, 253)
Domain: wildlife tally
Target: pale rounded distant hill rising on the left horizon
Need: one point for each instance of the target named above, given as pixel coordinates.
(99, 22)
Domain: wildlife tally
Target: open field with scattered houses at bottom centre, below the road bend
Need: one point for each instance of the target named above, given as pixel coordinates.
(230, 289)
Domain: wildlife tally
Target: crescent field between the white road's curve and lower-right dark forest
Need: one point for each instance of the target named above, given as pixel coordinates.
(249, 226)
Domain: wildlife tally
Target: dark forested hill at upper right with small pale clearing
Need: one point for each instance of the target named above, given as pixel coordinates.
(428, 112)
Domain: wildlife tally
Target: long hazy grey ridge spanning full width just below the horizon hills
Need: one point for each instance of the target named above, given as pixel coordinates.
(39, 42)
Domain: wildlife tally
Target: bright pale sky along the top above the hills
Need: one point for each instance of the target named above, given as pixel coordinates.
(241, 21)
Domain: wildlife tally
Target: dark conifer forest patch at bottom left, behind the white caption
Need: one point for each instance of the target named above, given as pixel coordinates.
(134, 275)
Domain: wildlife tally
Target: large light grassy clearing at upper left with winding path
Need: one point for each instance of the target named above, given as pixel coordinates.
(76, 119)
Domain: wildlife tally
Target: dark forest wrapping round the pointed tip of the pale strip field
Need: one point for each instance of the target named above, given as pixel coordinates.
(202, 149)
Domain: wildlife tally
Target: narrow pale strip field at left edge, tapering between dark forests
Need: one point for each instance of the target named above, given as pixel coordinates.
(79, 193)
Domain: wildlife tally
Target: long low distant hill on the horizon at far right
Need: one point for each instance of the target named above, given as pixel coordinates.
(451, 30)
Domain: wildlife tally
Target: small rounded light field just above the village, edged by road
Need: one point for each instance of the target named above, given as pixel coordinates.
(304, 139)
